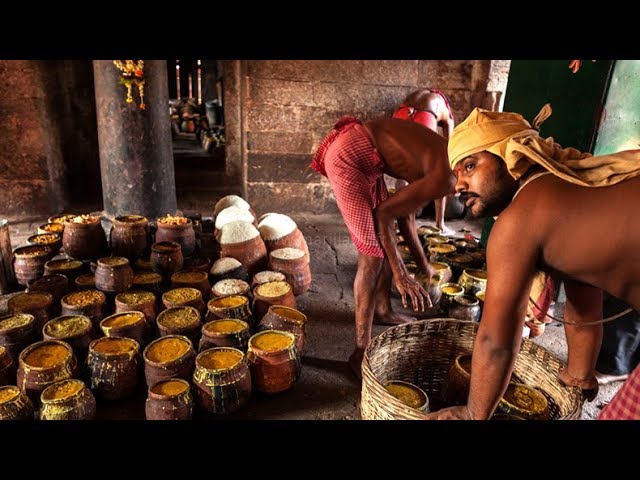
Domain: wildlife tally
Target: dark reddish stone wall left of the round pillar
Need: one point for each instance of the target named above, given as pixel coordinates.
(48, 147)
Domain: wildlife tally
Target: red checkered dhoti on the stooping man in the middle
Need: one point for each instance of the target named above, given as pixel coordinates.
(351, 163)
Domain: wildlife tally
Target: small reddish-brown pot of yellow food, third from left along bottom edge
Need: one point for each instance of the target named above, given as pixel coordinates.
(169, 400)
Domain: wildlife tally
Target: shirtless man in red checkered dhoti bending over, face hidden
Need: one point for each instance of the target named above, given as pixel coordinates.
(354, 158)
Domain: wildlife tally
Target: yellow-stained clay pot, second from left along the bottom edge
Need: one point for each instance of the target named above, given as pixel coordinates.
(67, 400)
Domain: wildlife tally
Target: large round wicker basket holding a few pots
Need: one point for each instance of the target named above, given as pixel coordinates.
(422, 352)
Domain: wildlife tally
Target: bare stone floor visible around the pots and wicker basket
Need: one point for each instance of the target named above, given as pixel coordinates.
(327, 389)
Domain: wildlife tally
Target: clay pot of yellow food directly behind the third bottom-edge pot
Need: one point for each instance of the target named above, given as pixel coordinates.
(170, 356)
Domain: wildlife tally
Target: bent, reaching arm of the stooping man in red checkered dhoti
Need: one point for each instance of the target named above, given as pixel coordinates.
(435, 184)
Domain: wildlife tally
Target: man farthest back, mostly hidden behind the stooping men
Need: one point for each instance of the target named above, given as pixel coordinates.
(429, 107)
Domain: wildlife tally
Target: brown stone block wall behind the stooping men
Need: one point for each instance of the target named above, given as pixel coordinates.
(288, 106)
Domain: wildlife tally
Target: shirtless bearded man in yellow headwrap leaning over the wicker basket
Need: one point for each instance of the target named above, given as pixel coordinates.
(561, 211)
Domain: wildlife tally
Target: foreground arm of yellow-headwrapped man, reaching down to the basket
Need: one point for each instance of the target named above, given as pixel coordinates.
(511, 260)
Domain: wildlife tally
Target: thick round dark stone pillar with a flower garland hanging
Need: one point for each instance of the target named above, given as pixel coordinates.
(136, 155)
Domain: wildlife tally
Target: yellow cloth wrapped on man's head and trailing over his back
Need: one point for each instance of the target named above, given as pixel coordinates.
(514, 140)
